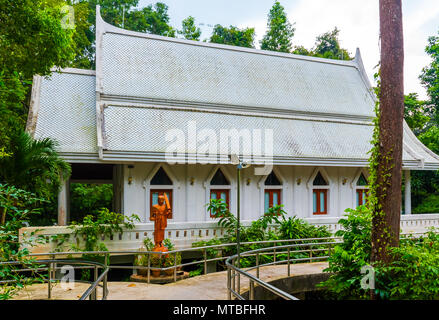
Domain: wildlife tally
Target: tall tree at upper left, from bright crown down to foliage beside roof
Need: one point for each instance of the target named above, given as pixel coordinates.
(32, 41)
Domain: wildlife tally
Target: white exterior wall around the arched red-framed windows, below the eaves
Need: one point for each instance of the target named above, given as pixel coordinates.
(189, 200)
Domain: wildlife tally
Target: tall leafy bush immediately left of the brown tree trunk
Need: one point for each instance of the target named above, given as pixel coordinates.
(349, 257)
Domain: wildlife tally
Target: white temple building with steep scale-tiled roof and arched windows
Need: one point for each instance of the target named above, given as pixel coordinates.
(165, 114)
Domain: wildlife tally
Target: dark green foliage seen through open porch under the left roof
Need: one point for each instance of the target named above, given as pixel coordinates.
(89, 199)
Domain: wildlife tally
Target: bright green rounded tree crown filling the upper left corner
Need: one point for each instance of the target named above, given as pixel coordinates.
(32, 38)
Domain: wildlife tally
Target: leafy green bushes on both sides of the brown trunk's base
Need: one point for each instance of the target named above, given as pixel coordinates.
(412, 274)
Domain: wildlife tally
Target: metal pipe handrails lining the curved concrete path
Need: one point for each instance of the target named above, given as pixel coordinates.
(308, 242)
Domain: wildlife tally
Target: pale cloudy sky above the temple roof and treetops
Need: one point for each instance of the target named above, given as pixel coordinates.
(357, 20)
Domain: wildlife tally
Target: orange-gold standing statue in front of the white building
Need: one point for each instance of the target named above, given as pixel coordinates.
(160, 213)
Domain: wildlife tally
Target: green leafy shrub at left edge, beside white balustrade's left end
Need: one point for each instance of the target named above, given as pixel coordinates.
(16, 208)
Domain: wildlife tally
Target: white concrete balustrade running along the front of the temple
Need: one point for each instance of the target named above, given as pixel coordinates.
(183, 234)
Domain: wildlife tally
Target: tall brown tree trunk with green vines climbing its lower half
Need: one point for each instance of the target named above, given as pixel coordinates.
(387, 215)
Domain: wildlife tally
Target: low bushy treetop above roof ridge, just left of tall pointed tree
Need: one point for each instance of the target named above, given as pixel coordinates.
(233, 36)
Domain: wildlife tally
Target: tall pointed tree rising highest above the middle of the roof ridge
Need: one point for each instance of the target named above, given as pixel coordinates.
(279, 30)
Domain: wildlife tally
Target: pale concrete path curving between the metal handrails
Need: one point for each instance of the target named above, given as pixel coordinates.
(212, 286)
